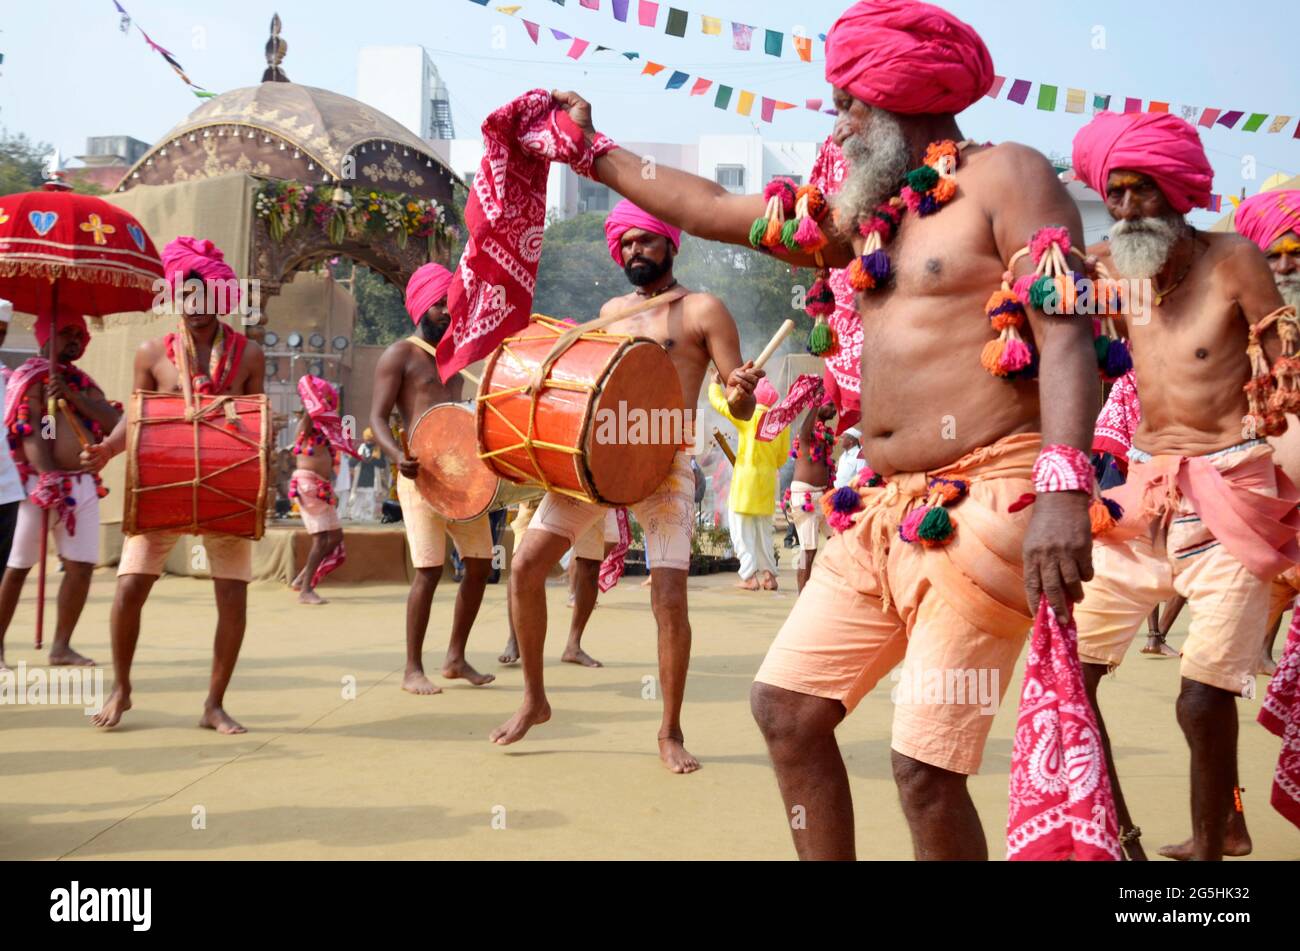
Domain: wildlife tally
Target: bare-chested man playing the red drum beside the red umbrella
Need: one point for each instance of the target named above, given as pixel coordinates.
(222, 362)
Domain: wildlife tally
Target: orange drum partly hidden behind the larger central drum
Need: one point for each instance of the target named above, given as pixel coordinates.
(453, 479)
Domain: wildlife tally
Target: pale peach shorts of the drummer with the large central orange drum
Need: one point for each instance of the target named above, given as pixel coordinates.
(668, 520)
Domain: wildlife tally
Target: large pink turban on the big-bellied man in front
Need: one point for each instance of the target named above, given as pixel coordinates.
(908, 58)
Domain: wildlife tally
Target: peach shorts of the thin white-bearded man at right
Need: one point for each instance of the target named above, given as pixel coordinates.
(1229, 606)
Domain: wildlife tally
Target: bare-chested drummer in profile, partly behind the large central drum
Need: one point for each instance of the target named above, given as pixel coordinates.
(408, 379)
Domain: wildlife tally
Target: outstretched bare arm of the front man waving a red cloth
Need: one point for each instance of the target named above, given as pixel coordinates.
(684, 201)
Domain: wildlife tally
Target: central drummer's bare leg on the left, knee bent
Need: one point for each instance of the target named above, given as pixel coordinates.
(534, 561)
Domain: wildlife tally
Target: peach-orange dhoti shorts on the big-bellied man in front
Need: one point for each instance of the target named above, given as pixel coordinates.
(954, 616)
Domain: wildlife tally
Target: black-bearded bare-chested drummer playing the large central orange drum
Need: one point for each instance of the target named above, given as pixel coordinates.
(696, 329)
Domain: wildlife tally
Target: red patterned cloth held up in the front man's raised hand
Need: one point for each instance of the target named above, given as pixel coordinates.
(492, 292)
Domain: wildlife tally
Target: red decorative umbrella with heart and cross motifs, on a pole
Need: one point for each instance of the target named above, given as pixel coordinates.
(72, 254)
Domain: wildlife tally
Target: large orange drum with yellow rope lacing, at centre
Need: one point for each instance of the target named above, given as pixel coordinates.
(604, 427)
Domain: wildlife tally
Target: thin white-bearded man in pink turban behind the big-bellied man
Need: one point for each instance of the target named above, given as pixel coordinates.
(1204, 516)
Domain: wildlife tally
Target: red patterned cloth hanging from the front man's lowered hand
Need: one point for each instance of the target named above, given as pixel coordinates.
(1061, 805)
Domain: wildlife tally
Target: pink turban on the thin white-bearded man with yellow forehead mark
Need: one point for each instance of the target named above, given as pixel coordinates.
(1154, 144)
